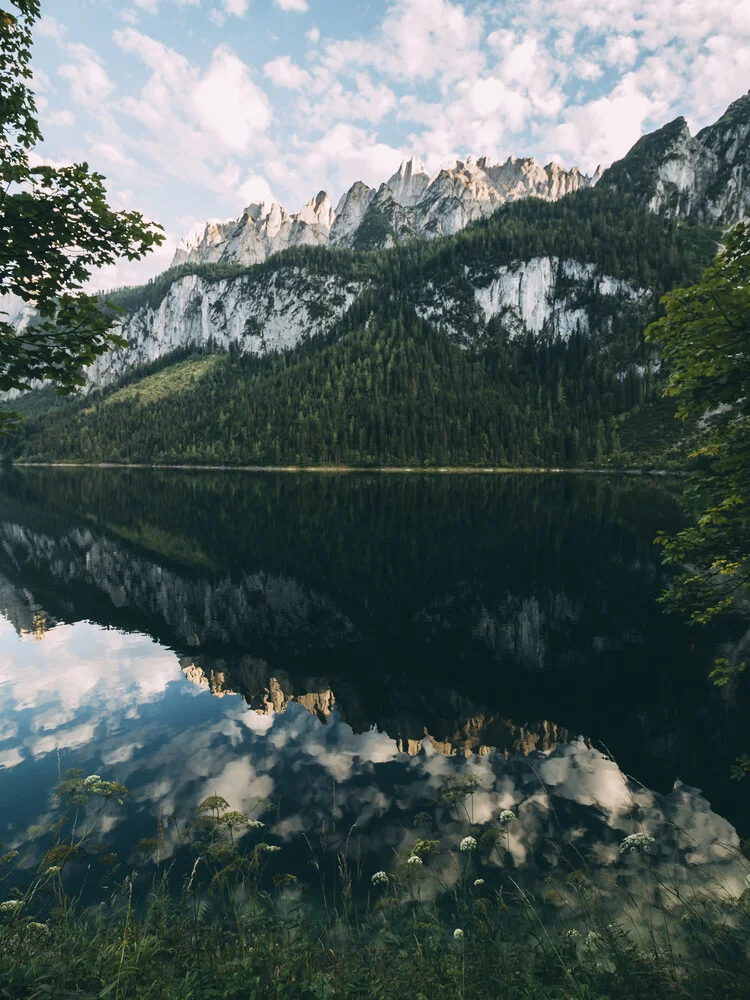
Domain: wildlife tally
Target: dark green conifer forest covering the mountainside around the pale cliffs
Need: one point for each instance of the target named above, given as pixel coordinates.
(415, 372)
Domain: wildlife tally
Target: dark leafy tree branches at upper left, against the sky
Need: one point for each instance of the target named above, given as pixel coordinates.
(56, 228)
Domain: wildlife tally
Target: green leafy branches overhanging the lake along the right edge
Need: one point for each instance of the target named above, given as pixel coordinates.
(705, 338)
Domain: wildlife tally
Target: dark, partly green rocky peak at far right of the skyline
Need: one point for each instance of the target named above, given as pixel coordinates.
(705, 177)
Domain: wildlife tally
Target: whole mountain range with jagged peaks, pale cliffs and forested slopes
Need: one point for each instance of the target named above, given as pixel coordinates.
(475, 306)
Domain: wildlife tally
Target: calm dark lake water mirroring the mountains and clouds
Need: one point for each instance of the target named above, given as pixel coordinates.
(339, 646)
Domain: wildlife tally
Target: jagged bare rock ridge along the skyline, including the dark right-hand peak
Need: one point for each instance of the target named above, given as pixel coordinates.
(704, 177)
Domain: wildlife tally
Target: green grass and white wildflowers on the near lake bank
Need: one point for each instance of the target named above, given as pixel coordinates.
(232, 924)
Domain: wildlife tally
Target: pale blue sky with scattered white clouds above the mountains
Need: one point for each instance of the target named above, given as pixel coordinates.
(192, 109)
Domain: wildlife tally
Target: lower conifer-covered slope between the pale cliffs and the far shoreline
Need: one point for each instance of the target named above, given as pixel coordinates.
(388, 390)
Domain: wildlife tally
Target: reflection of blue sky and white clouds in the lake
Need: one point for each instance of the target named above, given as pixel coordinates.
(120, 704)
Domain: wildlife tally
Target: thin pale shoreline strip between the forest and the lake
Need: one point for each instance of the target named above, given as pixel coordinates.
(381, 469)
